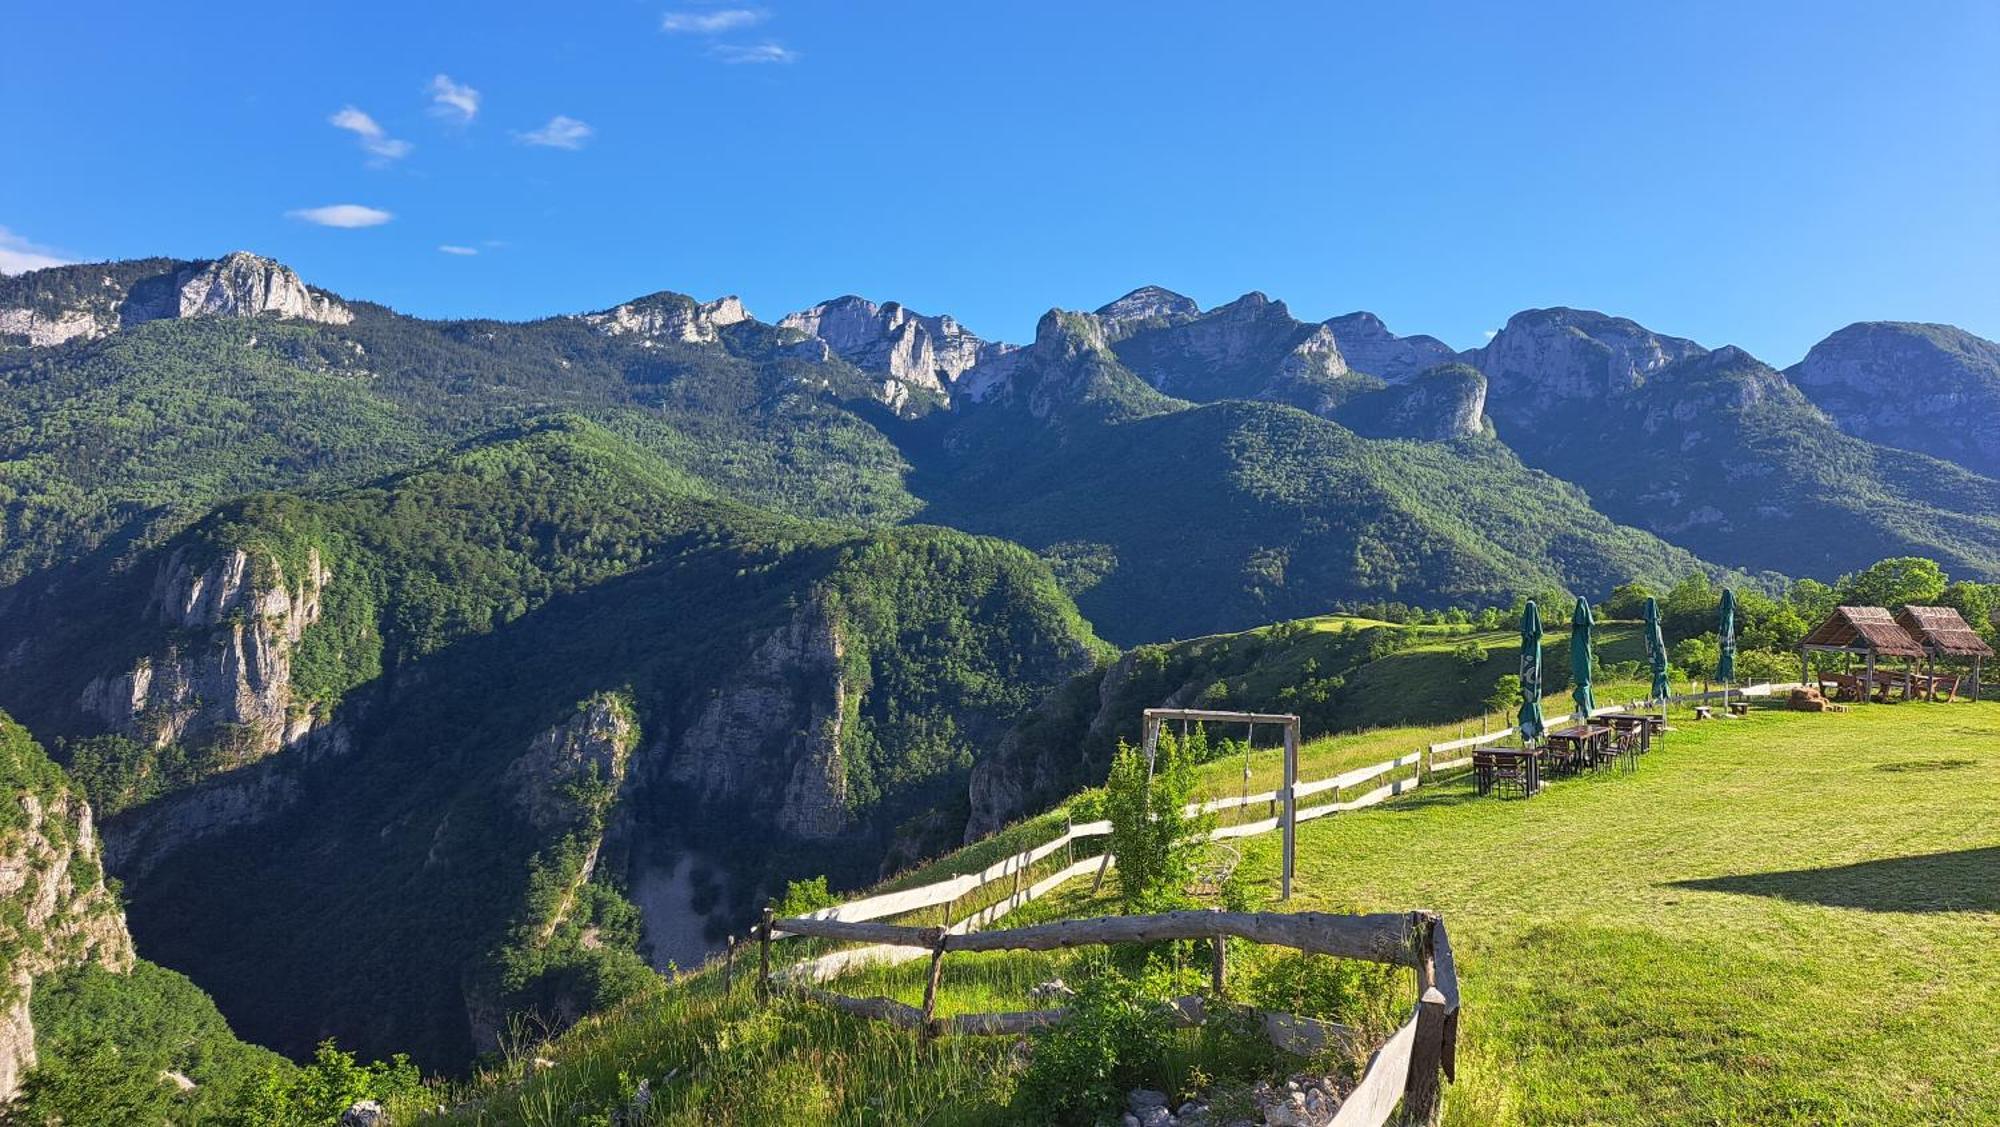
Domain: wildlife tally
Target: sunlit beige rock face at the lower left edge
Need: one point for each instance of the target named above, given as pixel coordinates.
(57, 910)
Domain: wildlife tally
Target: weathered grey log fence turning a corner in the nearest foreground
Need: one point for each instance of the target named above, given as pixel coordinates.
(1403, 1072)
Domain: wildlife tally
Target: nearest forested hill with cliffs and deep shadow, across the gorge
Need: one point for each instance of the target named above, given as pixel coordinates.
(465, 708)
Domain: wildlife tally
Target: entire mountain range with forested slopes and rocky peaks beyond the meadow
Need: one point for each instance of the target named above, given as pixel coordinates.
(429, 672)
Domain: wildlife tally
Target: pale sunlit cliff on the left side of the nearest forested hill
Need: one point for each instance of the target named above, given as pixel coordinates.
(225, 672)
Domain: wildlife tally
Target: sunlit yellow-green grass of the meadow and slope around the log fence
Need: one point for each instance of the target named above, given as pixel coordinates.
(1779, 920)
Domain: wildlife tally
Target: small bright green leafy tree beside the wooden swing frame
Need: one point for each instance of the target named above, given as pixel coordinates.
(1153, 836)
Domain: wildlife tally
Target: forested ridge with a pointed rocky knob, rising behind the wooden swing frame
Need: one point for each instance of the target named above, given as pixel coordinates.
(1179, 521)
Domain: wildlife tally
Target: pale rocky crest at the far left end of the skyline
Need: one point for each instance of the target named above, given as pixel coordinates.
(241, 285)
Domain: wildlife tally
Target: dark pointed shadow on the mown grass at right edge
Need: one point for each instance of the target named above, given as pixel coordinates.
(1963, 880)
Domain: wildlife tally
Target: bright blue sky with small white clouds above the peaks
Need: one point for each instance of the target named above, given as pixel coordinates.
(1751, 175)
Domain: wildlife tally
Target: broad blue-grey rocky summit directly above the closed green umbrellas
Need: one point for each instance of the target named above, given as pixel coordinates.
(1551, 361)
